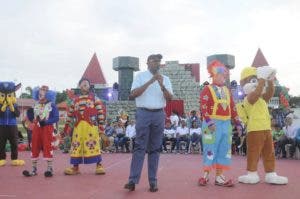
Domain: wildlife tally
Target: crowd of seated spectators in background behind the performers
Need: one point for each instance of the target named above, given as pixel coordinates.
(184, 135)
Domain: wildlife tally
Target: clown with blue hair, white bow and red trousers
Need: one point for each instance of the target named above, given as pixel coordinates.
(45, 117)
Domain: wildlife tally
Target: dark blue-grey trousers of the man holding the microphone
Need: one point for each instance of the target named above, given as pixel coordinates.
(149, 132)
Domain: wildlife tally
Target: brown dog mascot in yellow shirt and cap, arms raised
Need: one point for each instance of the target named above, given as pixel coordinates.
(258, 85)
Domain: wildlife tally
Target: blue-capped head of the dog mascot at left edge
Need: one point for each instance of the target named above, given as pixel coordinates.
(7, 92)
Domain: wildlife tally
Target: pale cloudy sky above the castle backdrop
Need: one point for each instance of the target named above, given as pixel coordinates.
(51, 42)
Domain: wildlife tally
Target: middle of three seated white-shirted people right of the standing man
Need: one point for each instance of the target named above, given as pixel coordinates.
(182, 134)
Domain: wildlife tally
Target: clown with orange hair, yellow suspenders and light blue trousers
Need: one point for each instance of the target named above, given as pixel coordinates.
(217, 107)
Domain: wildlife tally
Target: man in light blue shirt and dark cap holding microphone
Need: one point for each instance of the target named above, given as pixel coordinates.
(151, 90)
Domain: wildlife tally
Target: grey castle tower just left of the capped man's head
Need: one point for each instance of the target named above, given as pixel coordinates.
(125, 65)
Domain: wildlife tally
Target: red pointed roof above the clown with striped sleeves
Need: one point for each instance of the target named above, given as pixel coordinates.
(93, 72)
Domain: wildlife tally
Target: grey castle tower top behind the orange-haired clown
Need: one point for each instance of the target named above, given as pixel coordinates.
(226, 59)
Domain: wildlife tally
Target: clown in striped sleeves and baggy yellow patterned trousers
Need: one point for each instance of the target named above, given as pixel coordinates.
(87, 113)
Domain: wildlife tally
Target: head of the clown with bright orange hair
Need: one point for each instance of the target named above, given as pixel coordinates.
(218, 72)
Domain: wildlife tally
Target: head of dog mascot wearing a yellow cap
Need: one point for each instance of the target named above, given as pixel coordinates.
(249, 79)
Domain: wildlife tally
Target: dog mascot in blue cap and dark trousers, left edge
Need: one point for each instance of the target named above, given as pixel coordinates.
(8, 122)
